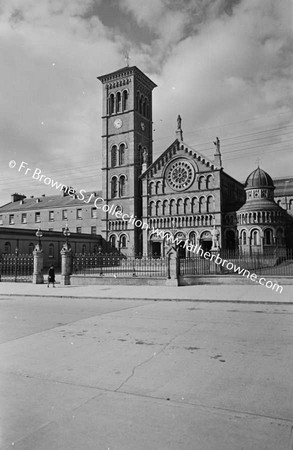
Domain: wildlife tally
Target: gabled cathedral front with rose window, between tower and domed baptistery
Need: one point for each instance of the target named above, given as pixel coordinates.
(186, 193)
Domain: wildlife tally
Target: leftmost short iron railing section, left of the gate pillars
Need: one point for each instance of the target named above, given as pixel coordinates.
(16, 267)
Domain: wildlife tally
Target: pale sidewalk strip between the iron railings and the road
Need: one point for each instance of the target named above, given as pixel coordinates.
(211, 293)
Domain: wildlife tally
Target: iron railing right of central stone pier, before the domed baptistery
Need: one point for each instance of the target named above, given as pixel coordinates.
(275, 263)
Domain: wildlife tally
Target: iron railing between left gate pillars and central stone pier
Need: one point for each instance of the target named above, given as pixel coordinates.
(116, 265)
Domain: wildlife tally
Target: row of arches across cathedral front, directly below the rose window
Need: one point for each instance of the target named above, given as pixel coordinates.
(179, 206)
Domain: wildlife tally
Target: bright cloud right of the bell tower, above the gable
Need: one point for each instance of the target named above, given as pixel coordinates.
(235, 68)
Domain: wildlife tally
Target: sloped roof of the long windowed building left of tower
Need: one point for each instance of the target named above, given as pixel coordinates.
(49, 202)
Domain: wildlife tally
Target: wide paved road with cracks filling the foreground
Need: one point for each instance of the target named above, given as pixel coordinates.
(144, 375)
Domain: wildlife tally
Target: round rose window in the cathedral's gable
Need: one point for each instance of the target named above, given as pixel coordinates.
(180, 175)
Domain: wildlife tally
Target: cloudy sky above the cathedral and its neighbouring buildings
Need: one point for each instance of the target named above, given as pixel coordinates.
(224, 65)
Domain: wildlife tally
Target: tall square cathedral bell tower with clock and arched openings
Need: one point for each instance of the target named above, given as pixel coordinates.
(127, 145)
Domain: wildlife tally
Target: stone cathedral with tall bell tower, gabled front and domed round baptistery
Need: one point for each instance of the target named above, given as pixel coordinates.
(182, 190)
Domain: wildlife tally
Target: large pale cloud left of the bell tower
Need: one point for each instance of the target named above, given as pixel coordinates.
(50, 58)
